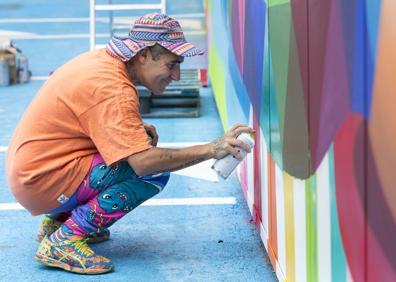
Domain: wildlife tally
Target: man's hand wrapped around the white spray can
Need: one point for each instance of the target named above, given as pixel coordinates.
(226, 144)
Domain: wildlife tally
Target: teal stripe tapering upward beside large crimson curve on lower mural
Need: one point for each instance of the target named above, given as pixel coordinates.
(338, 261)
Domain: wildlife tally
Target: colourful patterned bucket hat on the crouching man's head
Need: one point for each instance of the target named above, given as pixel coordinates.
(148, 31)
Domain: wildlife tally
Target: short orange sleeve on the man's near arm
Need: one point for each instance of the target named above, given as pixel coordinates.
(115, 127)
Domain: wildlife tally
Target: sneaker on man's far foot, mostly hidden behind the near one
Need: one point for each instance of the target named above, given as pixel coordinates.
(50, 225)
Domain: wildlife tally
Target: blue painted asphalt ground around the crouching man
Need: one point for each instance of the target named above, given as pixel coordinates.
(205, 241)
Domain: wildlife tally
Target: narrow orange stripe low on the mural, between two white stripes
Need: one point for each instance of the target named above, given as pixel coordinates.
(273, 236)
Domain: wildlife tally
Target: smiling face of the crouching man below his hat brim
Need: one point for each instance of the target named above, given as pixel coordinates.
(157, 74)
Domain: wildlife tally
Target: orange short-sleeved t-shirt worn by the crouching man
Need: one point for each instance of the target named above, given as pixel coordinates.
(87, 106)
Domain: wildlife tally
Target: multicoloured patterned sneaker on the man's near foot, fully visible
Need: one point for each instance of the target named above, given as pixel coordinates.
(72, 254)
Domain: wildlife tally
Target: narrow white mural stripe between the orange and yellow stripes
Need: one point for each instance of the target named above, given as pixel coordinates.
(280, 218)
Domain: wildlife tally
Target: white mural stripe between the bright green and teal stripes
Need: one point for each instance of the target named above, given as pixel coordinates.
(324, 221)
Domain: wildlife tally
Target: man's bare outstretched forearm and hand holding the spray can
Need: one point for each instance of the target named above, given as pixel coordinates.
(157, 160)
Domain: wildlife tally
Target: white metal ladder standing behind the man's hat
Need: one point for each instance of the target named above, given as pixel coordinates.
(93, 8)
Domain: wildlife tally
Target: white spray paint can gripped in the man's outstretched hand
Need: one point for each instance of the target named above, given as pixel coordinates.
(225, 166)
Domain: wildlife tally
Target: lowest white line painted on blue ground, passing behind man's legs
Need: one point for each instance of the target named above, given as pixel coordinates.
(156, 202)
